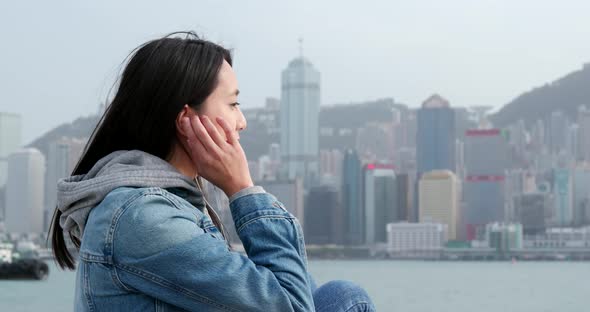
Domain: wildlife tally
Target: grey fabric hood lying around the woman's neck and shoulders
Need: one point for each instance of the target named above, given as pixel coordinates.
(77, 195)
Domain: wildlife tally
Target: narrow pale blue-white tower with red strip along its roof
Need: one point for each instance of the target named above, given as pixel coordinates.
(380, 200)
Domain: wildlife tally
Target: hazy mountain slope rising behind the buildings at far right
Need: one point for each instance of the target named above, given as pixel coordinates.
(565, 94)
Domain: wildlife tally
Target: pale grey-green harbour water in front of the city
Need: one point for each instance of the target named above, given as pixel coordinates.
(408, 286)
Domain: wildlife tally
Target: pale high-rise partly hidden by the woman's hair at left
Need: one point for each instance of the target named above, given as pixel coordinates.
(62, 157)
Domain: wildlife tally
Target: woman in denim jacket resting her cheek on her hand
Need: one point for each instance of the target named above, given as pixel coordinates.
(146, 239)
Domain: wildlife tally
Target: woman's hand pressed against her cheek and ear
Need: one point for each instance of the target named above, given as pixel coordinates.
(220, 162)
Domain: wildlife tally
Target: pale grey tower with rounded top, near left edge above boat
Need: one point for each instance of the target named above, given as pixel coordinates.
(24, 191)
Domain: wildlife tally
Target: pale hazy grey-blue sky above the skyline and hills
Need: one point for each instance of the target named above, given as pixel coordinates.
(59, 59)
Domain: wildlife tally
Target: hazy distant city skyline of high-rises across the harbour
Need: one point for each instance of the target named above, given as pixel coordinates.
(373, 180)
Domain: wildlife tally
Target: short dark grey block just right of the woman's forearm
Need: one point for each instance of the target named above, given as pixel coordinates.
(324, 223)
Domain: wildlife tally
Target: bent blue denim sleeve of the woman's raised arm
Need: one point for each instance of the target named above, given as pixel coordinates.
(159, 250)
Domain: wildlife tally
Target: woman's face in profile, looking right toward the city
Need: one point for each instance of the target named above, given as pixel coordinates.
(223, 102)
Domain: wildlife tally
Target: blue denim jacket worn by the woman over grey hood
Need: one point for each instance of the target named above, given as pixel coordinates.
(147, 249)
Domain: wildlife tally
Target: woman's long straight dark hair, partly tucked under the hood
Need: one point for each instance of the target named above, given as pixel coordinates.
(161, 76)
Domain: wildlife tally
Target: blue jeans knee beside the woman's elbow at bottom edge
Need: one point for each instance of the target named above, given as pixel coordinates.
(341, 296)
